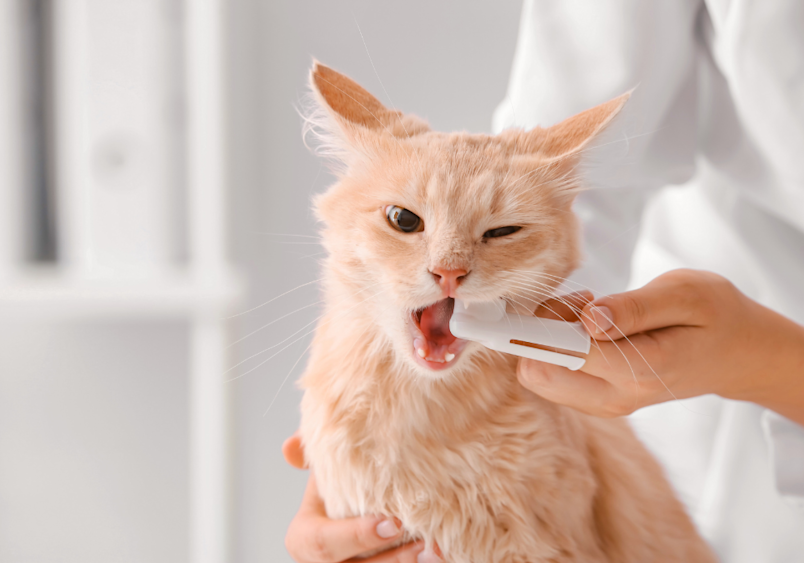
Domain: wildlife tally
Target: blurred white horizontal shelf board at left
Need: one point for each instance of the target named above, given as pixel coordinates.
(175, 293)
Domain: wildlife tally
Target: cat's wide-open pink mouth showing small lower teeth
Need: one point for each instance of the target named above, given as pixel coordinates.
(434, 346)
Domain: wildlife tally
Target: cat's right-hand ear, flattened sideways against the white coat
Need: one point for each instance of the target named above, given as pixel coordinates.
(575, 133)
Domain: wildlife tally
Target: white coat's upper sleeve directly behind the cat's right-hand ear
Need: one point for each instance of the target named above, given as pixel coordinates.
(572, 55)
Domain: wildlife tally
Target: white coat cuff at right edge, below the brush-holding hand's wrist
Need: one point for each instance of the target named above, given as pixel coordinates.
(786, 442)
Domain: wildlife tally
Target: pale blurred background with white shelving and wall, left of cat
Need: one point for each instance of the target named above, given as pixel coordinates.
(158, 256)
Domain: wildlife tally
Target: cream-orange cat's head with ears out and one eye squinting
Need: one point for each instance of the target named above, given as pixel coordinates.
(418, 218)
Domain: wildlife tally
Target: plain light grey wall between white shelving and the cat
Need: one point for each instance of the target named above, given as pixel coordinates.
(447, 61)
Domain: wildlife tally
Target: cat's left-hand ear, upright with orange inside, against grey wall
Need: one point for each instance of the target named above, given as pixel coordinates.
(354, 115)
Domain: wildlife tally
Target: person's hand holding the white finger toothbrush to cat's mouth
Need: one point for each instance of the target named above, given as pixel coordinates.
(684, 334)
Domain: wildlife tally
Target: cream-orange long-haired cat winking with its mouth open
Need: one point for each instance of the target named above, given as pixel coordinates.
(402, 419)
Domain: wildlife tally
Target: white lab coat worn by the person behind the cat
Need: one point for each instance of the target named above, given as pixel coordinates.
(719, 108)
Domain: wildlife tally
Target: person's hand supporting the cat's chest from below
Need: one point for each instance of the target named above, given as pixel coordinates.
(314, 538)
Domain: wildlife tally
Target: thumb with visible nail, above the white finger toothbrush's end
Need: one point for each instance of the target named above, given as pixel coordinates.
(654, 306)
